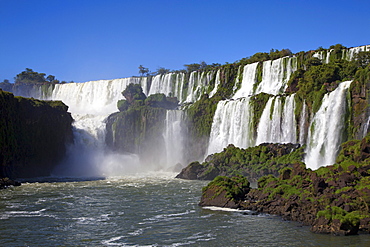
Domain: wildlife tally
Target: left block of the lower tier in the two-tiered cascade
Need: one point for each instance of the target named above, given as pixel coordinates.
(231, 125)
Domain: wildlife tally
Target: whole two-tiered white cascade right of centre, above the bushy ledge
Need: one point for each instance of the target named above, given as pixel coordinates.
(233, 118)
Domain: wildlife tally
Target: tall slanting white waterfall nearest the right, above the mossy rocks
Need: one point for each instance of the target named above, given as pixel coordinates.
(324, 136)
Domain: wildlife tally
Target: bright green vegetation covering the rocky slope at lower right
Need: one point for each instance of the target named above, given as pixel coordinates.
(340, 192)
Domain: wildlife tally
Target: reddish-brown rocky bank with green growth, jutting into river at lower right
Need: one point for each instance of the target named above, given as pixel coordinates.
(332, 200)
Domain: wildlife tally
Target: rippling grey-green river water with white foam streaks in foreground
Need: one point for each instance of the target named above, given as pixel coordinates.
(147, 210)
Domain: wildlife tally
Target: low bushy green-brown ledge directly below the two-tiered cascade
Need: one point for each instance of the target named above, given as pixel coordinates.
(253, 162)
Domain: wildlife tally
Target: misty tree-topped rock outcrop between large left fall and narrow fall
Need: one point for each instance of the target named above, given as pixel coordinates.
(138, 127)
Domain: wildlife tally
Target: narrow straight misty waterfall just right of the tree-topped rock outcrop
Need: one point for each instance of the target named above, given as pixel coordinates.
(174, 138)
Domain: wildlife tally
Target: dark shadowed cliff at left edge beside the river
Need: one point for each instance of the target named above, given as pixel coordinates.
(33, 135)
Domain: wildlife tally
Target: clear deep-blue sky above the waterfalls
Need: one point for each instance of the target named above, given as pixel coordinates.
(84, 40)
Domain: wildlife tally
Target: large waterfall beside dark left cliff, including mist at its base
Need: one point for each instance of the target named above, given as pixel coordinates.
(90, 103)
